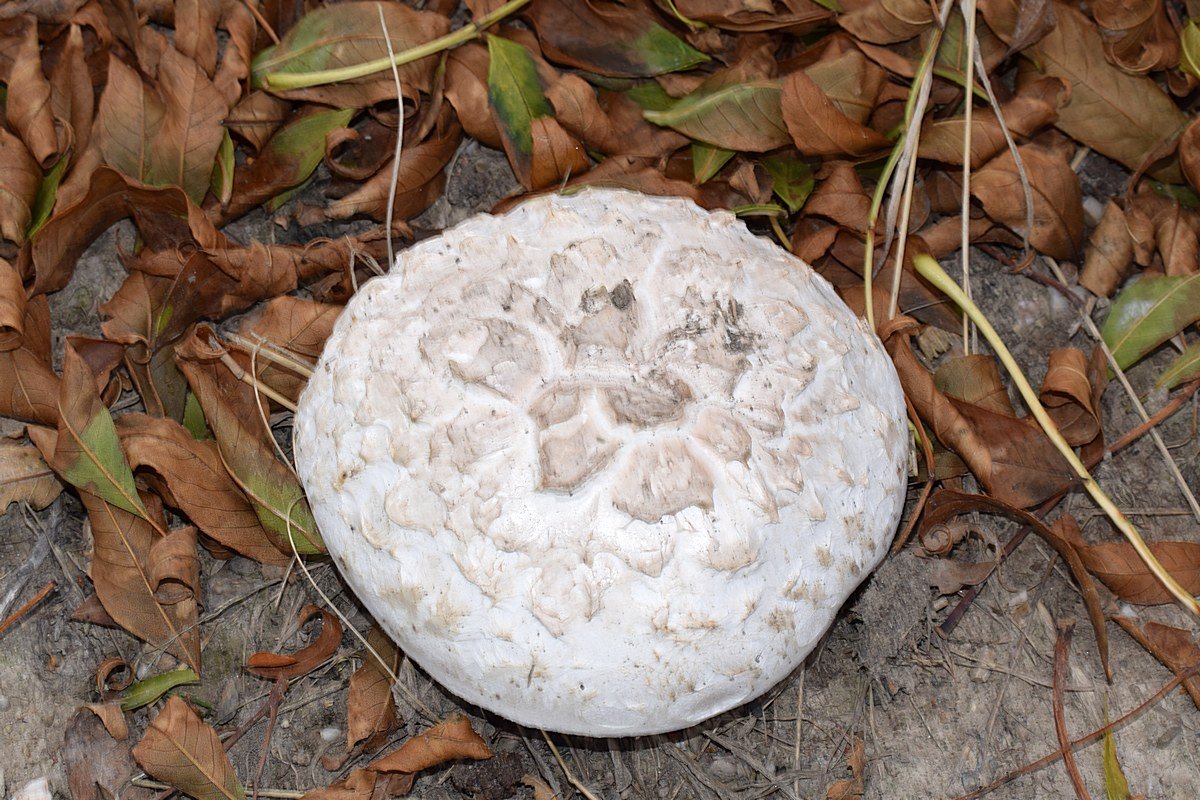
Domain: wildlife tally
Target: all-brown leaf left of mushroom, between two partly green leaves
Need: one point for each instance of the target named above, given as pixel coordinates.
(190, 477)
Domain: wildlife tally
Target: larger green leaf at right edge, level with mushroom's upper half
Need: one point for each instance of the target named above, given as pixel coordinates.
(1150, 312)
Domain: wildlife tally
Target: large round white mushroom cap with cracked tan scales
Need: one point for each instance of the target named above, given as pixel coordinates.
(607, 465)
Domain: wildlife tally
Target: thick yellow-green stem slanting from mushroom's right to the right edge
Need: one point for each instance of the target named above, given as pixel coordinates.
(932, 272)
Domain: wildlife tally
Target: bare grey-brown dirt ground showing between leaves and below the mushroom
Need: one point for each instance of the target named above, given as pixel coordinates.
(938, 717)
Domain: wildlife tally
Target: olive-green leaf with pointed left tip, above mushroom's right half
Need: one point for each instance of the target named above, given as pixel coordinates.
(745, 117)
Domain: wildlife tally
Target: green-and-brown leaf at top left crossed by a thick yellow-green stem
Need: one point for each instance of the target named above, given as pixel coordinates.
(347, 35)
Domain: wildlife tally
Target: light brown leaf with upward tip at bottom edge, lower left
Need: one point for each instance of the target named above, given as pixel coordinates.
(183, 751)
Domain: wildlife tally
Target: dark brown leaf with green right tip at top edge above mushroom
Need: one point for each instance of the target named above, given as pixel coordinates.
(610, 40)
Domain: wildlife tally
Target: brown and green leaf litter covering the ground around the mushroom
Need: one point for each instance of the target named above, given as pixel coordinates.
(171, 117)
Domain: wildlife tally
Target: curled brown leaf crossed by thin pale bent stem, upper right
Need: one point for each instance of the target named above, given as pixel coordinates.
(1058, 201)
